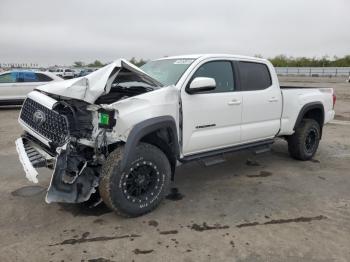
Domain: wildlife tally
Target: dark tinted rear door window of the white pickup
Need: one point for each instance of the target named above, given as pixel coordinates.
(254, 76)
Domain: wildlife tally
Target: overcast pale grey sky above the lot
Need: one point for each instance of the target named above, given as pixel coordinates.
(60, 32)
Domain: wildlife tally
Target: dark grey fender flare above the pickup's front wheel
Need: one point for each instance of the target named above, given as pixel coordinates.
(146, 127)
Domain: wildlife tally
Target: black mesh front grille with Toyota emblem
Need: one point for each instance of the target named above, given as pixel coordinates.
(45, 122)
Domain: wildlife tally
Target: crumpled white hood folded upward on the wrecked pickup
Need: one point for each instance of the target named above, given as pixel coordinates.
(89, 88)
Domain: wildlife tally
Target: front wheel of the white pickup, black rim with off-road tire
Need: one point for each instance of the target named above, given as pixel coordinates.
(141, 186)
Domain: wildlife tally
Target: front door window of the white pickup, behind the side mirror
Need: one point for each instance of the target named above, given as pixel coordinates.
(221, 71)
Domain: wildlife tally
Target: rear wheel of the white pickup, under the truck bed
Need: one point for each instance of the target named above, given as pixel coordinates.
(303, 144)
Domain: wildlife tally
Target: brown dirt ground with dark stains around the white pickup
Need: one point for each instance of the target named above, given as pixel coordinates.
(264, 207)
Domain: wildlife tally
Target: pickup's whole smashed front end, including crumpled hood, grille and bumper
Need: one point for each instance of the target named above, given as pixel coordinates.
(70, 126)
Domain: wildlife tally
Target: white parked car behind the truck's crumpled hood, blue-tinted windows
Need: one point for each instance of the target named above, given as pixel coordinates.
(15, 85)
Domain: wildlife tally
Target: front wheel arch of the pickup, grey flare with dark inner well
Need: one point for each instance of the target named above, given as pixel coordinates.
(154, 131)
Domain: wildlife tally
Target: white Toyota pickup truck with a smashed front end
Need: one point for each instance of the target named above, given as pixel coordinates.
(120, 132)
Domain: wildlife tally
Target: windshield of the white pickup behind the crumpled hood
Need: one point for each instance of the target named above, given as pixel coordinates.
(167, 71)
